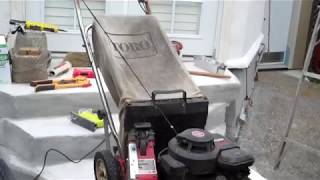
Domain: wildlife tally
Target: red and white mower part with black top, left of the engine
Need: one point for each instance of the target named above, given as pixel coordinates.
(141, 156)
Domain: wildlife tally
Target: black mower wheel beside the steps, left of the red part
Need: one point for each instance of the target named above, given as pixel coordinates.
(106, 167)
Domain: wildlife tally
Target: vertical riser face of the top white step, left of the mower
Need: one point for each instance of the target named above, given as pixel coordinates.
(54, 105)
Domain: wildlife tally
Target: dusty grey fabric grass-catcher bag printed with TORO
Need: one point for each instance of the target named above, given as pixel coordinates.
(148, 51)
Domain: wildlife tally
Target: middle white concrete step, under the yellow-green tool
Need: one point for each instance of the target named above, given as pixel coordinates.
(31, 138)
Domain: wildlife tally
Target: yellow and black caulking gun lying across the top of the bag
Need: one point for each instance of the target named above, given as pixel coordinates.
(31, 25)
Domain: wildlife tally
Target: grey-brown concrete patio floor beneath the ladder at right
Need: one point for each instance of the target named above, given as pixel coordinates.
(272, 100)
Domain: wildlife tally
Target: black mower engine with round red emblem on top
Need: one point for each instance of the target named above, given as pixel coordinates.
(198, 154)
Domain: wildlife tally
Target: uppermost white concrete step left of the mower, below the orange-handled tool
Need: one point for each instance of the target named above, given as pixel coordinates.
(19, 101)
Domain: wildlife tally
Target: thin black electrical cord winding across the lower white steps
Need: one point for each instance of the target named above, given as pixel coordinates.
(65, 156)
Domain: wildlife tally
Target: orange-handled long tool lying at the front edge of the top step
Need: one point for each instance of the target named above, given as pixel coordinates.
(44, 85)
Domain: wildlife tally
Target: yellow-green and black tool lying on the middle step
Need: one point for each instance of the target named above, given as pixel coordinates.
(87, 118)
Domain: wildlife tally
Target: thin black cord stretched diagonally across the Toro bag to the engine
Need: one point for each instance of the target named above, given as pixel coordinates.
(131, 69)
